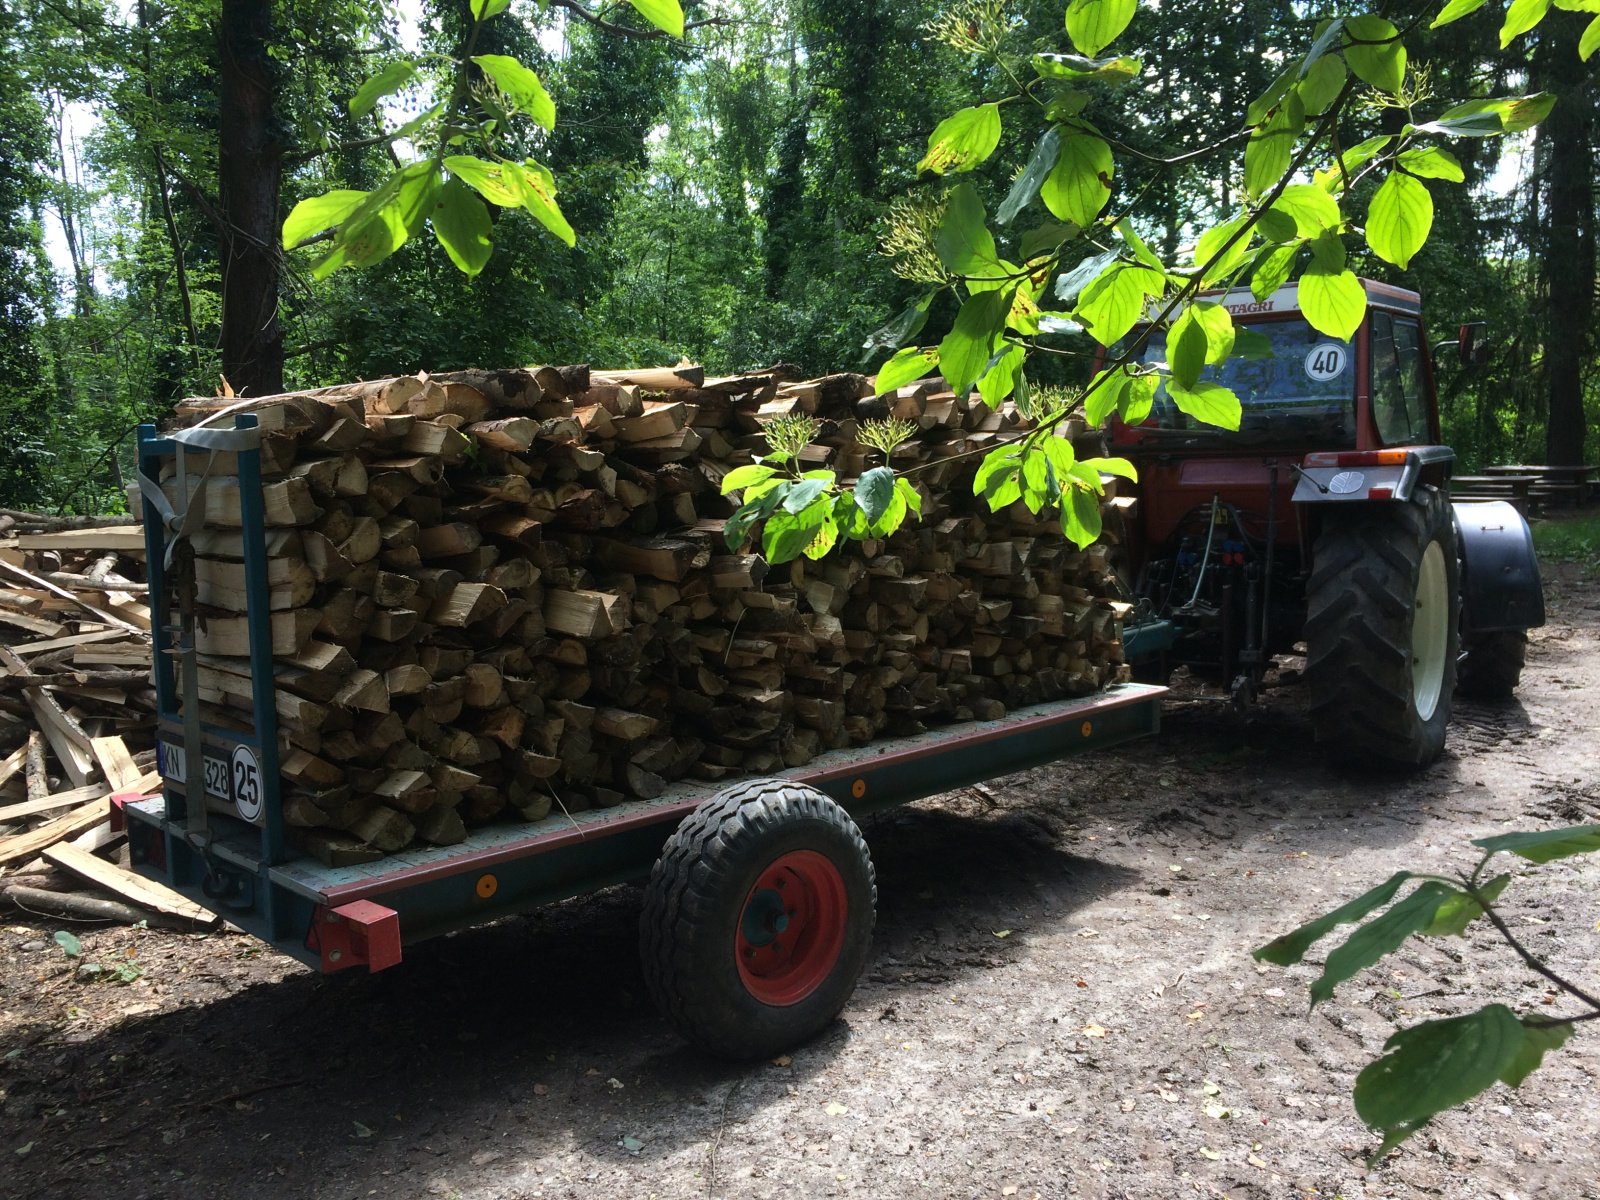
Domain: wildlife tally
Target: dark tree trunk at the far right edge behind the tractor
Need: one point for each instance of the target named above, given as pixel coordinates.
(1567, 158)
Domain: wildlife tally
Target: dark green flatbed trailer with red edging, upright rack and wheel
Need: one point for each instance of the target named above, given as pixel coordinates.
(761, 895)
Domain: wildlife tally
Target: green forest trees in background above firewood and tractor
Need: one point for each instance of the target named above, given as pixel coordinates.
(732, 196)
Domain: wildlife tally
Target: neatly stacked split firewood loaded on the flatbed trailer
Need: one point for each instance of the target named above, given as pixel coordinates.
(508, 593)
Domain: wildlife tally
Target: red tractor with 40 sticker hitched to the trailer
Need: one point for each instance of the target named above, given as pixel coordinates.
(1326, 519)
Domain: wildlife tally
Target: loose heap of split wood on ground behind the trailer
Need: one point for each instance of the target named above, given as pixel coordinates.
(76, 718)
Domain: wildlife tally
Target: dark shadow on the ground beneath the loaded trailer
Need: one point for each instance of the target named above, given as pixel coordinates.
(518, 1044)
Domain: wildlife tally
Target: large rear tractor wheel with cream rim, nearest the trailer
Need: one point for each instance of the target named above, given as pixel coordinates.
(1380, 678)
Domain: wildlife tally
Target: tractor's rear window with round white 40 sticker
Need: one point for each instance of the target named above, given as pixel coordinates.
(1302, 394)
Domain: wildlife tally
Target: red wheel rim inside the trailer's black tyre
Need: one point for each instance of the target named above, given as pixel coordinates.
(791, 929)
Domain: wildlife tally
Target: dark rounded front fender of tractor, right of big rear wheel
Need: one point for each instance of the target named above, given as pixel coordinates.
(1500, 570)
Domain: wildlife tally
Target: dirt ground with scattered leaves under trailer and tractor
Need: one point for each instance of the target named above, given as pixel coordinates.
(1060, 1002)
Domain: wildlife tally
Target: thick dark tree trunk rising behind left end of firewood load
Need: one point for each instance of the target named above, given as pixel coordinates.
(250, 167)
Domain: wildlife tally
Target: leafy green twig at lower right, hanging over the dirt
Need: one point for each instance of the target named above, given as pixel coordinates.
(1438, 1065)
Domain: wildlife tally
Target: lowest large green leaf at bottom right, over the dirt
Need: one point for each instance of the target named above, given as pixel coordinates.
(1436, 1066)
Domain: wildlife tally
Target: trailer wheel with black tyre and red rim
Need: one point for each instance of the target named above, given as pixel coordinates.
(758, 919)
